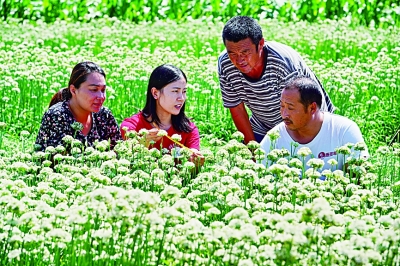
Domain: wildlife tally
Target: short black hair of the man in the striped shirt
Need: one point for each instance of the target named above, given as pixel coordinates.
(242, 27)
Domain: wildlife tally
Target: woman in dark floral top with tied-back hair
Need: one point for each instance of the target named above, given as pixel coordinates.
(81, 102)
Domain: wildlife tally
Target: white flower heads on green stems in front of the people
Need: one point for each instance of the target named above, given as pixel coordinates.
(122, 203)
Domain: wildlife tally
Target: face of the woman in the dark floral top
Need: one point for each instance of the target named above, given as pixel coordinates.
(91, 94)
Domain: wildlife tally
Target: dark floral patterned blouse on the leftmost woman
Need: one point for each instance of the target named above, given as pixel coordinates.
(57, 121)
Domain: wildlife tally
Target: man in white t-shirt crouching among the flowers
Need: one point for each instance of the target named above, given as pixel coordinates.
(307, 126)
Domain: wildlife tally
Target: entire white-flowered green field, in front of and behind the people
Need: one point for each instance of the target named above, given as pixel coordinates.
(137, 207)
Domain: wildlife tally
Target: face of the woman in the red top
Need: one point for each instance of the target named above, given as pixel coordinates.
(171, 98)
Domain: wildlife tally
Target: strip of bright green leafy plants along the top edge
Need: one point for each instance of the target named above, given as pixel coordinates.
(365, 12)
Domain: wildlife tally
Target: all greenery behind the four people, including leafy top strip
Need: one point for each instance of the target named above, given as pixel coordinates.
(353, 61)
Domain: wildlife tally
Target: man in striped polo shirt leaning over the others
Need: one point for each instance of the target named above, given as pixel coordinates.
(253, 73)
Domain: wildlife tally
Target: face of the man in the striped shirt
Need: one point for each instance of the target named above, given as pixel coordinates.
(244, 55)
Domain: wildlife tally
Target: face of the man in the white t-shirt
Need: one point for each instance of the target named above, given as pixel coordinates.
(294, 114)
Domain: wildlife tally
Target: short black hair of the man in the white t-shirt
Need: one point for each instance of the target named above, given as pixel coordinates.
(309, 90)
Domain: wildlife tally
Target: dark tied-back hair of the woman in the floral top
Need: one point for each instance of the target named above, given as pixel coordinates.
(78, 75)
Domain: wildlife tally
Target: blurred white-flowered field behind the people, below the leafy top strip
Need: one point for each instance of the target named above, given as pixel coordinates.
(359, 67)
